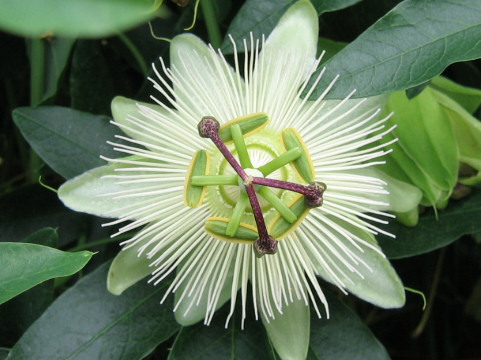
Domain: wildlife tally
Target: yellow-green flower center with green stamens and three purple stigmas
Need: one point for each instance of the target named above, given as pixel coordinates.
(279, 188)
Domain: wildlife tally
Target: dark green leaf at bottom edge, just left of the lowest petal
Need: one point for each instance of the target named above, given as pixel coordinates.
(215, 342)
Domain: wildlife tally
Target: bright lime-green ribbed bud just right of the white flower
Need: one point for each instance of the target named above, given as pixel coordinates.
(426, 154)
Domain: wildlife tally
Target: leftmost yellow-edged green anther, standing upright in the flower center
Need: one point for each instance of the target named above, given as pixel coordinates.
(199, 165)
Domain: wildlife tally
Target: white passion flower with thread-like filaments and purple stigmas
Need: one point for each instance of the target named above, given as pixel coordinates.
(232, 164)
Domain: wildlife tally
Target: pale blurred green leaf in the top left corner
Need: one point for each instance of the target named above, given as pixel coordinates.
(74, 18)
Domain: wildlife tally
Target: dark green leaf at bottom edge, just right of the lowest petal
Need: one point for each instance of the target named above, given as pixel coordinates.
(343, 337)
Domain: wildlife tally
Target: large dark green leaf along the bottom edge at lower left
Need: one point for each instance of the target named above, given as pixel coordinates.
(102, 326)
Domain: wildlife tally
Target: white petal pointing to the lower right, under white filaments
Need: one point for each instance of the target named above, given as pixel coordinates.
(350, 258)
